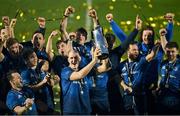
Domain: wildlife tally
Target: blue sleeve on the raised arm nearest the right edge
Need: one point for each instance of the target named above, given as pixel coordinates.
(169, 29)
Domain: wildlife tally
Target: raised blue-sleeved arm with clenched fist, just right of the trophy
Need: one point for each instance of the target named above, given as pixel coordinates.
(116, 29)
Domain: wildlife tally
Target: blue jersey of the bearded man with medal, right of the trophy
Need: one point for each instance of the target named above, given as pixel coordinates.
(133, 73)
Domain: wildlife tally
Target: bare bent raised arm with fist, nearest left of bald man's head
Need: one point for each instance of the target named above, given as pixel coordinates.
(49, 45)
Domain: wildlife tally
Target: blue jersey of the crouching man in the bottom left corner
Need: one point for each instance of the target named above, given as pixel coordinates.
(17, 98)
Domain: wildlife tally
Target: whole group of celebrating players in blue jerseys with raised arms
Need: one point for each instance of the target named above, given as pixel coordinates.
(143, 84)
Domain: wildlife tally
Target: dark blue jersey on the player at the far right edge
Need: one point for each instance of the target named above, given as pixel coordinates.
(169, 96)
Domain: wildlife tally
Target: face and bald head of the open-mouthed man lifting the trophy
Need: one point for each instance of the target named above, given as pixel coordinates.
(73, 59)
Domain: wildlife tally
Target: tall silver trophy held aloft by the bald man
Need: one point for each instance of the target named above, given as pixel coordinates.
(100, 43)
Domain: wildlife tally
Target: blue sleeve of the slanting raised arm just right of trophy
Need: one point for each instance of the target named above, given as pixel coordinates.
(118, 31)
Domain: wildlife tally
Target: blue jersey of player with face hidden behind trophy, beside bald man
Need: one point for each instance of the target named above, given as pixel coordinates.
(99, 93)
